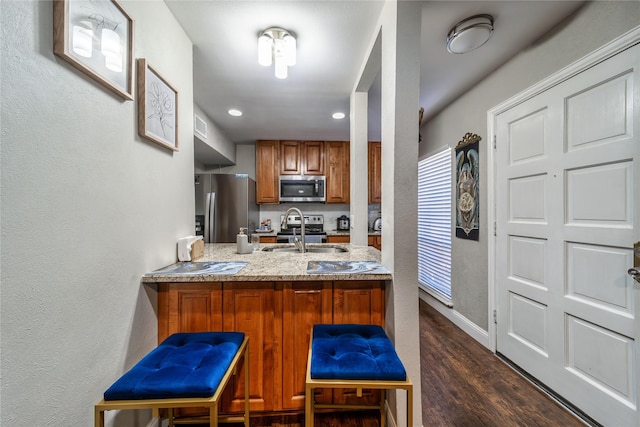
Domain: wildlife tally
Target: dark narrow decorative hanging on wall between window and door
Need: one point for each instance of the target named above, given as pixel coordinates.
(467, 187)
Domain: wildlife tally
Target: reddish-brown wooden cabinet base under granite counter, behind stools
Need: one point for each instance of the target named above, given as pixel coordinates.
(277, 317)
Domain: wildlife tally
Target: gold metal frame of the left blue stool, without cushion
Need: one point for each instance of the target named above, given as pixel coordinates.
(190, 402)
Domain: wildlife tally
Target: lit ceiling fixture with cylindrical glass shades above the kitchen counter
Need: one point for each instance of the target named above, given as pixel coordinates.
(278, 46)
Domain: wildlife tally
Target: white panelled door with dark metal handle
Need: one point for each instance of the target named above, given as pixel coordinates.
(567, 203)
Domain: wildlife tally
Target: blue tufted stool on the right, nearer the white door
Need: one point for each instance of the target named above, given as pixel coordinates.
(353, 356)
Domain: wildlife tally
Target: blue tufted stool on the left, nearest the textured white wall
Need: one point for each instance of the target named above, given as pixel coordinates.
(185, 370)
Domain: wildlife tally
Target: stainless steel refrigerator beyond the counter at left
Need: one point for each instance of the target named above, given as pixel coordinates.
(224, 203)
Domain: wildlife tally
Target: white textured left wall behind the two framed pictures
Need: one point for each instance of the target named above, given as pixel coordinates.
(87, 207)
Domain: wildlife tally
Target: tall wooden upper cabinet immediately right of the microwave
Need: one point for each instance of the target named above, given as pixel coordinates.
(337, 171)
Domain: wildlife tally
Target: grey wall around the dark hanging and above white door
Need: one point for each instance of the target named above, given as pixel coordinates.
(591, 27)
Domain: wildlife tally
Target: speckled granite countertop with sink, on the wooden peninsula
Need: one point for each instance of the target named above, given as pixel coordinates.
(359, 263)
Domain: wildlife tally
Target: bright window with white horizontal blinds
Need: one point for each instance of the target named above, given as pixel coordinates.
(434, 224)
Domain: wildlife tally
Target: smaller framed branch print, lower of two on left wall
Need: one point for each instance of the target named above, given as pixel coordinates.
(157, 107)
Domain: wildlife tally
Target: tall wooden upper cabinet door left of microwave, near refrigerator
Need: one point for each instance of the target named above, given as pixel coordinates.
(267, 163)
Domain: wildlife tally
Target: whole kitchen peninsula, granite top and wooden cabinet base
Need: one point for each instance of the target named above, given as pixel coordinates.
(275, 298)
